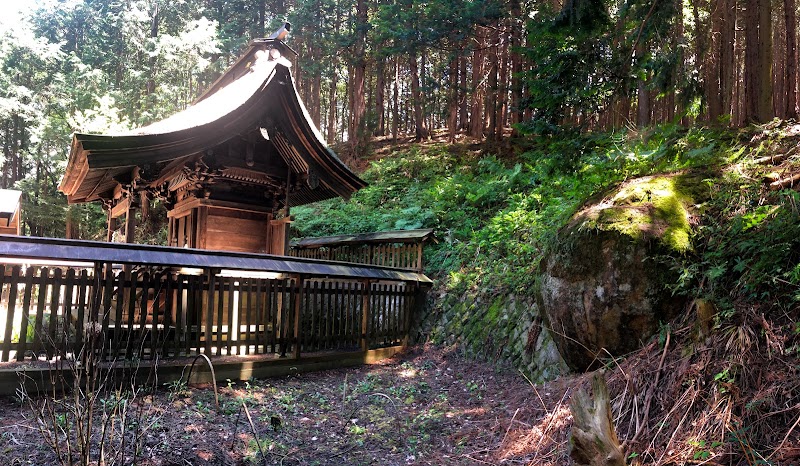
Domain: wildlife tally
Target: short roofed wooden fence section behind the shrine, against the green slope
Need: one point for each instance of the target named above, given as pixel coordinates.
(400, 249)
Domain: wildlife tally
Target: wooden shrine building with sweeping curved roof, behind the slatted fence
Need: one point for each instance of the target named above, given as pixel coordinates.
(227, 168)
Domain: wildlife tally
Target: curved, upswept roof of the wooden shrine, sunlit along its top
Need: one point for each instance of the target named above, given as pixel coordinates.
(257, 93)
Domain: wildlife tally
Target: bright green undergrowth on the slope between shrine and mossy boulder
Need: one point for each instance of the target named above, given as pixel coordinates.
(493, 216)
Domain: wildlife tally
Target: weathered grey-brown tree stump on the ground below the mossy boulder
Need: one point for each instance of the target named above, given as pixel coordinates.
(594, 441)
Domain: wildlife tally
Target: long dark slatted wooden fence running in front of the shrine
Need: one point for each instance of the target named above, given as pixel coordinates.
(144, 309)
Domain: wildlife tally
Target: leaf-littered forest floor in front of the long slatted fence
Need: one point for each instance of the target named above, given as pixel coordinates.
(428, 406)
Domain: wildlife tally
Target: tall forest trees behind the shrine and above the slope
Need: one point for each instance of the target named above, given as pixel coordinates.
(481, 69)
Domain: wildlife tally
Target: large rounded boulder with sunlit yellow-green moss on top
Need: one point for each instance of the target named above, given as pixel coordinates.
(604, 285)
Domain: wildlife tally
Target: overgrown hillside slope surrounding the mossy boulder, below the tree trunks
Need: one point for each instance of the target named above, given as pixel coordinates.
(728, 361)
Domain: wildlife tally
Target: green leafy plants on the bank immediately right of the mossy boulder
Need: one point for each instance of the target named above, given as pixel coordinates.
(750, 252)
